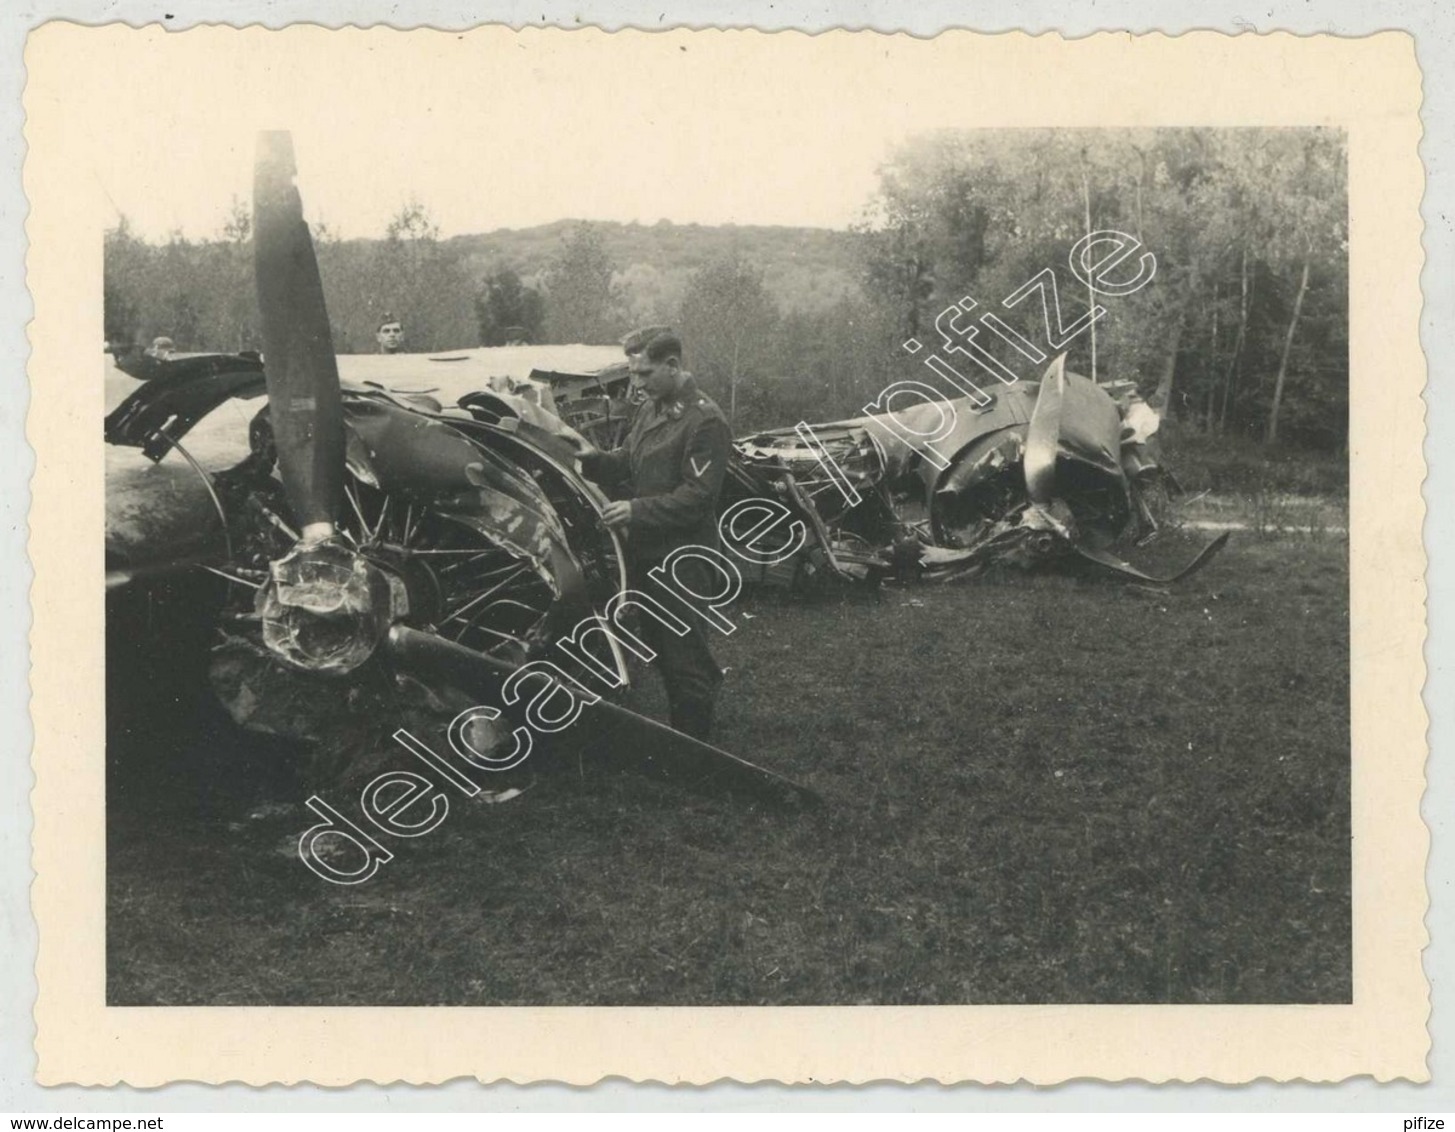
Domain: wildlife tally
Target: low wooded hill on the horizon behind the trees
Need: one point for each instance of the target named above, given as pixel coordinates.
(804, 268)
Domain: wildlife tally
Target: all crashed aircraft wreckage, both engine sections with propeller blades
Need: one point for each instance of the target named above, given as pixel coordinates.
(382, 548)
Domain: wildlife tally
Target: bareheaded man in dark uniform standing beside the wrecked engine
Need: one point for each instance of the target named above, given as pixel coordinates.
(674, 461)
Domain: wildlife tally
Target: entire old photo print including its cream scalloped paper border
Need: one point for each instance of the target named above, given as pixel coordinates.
(727, 520)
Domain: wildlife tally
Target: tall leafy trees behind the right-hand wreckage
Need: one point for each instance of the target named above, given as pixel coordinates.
(1245, 328)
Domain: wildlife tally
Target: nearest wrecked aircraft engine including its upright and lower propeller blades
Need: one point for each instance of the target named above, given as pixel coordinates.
(379, 551)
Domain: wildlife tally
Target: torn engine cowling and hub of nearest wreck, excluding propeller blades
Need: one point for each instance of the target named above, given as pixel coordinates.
(469, 522)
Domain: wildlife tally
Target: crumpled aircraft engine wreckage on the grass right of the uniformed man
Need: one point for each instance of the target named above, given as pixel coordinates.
(1032, 475)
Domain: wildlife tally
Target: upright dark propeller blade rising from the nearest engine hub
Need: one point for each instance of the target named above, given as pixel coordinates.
(303, 376)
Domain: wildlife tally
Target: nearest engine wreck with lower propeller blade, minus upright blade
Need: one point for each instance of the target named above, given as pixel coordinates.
(468, 546)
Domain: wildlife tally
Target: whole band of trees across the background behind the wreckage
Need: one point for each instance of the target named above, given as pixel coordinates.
(1243, 331)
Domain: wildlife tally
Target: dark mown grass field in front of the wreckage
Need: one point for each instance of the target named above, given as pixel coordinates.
(1037, 791)
